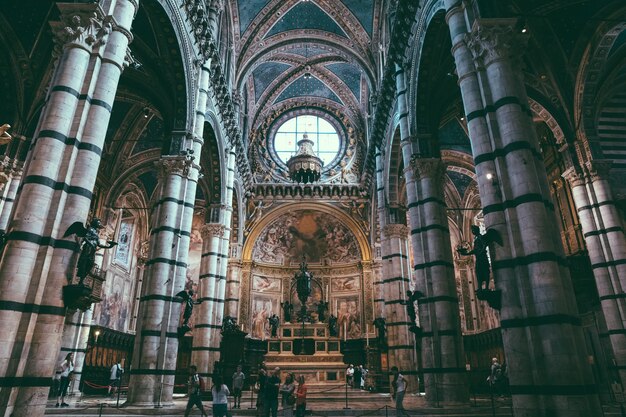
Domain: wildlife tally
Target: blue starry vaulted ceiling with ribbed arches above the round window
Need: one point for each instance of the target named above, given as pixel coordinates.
(278, 42)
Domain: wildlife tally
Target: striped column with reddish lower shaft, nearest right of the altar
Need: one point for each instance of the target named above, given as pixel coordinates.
(399, 340)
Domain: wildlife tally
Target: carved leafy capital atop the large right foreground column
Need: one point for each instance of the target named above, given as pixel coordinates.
(494, 40)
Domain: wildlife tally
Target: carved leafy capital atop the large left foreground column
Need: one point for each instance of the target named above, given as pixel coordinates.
(81, 25)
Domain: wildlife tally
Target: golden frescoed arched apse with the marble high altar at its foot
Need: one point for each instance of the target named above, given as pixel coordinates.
(338, 259)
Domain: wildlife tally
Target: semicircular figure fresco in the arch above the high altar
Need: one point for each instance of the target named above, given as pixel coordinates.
(319, 236)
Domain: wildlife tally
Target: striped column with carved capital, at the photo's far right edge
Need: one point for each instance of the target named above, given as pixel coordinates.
(604, 237)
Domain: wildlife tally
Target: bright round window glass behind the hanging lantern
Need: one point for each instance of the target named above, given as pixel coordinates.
(321, 132)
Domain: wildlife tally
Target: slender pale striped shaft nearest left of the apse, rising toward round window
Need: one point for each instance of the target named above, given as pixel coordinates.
(226, 215)
